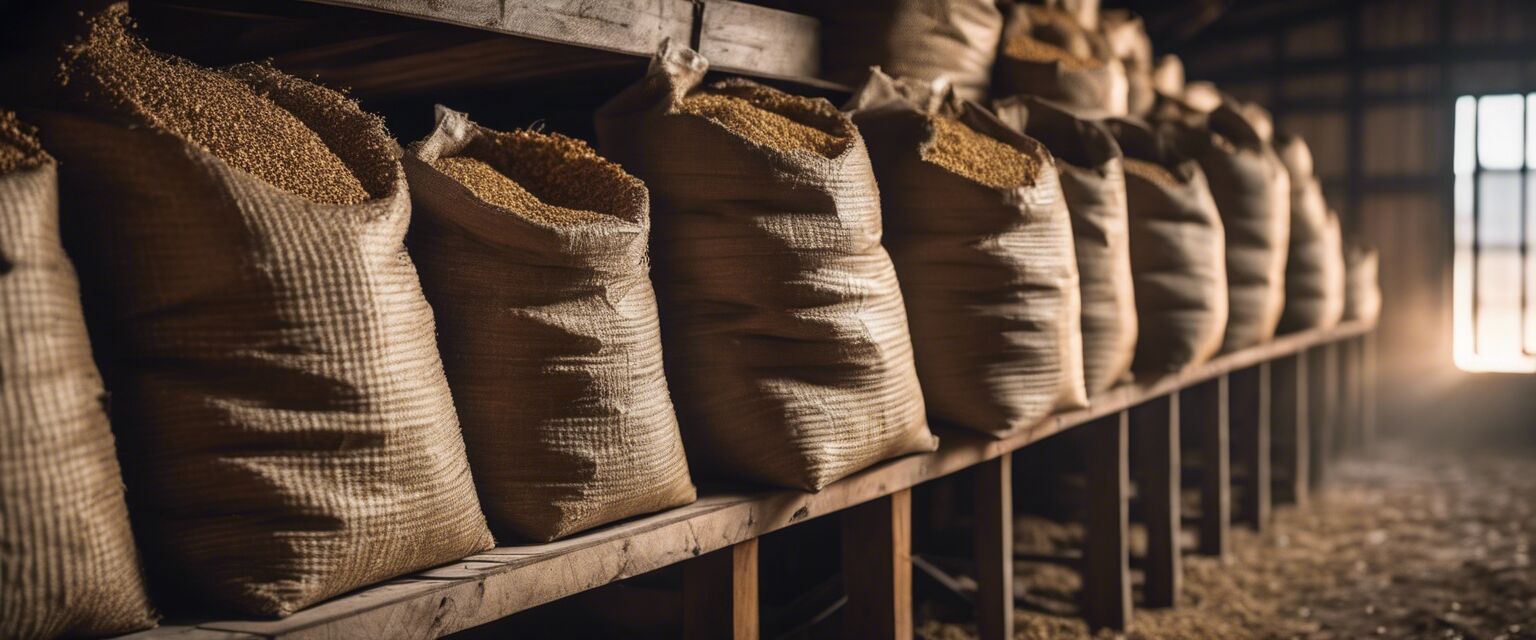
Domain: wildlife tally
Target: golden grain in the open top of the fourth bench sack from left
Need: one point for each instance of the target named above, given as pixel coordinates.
(772, 117)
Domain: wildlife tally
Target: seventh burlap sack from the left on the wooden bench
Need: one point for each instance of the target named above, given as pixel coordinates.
(1177, 254)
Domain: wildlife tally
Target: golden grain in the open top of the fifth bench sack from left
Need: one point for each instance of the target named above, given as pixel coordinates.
(985, 160)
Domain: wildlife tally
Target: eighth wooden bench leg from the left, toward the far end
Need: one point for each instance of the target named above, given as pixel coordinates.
(1291, 427)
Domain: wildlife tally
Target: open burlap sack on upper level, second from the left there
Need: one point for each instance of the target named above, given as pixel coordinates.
(1045, 53)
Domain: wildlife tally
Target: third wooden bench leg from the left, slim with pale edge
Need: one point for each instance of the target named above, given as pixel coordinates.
(995, 549)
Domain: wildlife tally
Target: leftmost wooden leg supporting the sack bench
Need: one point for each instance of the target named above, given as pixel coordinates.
(721, 595)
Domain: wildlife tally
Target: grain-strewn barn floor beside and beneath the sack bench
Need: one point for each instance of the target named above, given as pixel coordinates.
(1415, 544)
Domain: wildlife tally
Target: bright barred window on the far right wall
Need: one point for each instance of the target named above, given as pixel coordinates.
(1495, 282)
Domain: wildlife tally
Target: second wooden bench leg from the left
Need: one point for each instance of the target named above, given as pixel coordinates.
(878, 569)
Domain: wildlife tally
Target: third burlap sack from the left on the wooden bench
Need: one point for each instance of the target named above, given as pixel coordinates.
(549, 337)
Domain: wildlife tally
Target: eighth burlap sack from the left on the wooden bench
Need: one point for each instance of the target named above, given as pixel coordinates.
(1253, 193)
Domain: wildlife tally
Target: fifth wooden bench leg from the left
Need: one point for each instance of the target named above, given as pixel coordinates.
(1156, 429)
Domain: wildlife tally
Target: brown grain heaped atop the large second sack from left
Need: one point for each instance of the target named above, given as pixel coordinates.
(113, 73)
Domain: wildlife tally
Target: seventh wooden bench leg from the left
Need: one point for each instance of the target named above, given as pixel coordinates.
(1250, 414)
